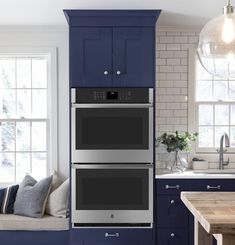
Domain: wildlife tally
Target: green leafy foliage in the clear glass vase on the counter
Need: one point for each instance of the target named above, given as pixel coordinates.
(177, 141)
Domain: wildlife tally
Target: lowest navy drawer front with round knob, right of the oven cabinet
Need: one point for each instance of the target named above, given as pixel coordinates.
(171, 236)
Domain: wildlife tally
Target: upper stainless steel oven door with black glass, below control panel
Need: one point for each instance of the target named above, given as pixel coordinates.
(112, 133)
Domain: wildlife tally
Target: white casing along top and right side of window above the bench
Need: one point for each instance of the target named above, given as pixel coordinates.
(52, 97)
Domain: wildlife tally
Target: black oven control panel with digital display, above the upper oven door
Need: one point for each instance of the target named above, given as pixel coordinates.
(112, 95)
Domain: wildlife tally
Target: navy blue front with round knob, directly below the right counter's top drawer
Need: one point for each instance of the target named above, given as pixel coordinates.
(171, 212)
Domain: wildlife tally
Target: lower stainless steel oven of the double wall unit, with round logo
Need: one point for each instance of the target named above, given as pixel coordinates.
(112, 195)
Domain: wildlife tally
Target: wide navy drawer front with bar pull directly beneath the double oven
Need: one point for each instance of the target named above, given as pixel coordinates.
(111, 236)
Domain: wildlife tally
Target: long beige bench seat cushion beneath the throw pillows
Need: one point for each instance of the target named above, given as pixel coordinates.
(46, 223)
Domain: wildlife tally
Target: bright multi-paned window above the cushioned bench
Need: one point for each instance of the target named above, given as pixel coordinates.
(25, 116)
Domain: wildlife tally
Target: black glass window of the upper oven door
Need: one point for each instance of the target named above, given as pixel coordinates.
(112, 128)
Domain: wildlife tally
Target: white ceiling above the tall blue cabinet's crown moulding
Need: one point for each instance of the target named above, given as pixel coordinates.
(183, 13)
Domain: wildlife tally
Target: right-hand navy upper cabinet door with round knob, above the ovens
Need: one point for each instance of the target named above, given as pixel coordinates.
(133, 57)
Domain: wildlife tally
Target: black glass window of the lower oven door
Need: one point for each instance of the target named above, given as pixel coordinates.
(112, 189)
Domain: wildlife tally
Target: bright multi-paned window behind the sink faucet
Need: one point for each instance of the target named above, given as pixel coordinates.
(213, 104)
